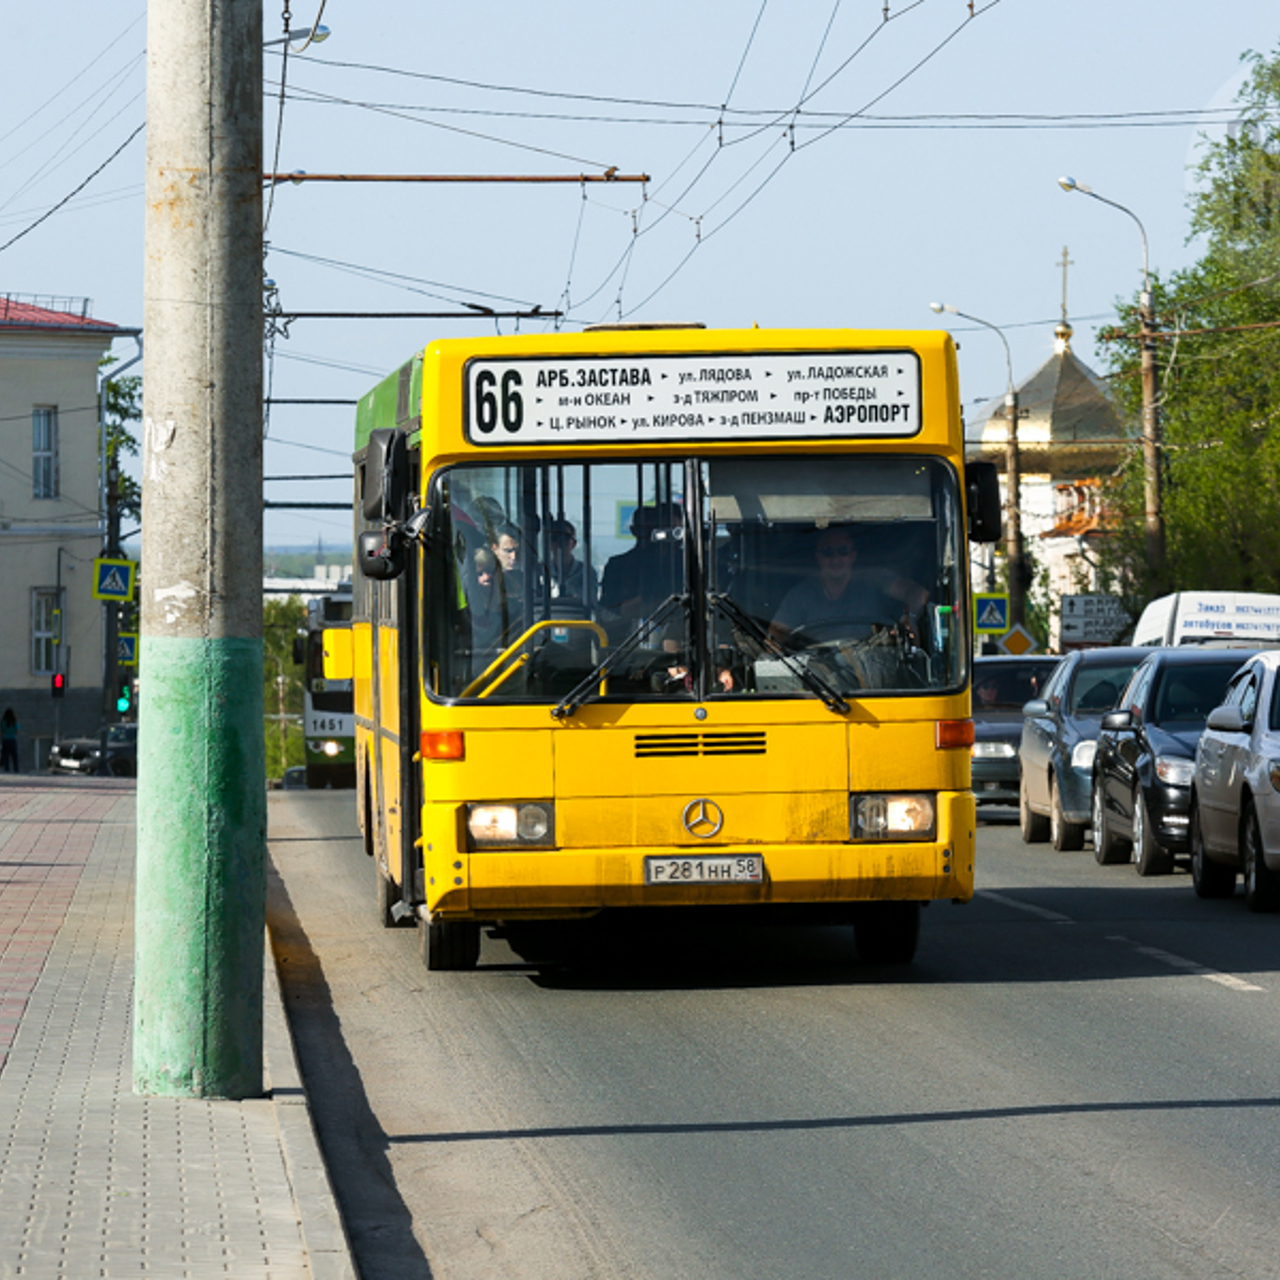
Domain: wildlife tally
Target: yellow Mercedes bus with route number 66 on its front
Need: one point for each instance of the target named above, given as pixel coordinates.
(666, 618)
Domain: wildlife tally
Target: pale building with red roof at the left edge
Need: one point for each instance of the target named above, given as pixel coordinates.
(51, 516)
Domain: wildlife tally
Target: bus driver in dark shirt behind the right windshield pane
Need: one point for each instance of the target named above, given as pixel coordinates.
(842, 604)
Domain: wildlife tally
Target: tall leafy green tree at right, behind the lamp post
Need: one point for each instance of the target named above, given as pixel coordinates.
(1220, 377)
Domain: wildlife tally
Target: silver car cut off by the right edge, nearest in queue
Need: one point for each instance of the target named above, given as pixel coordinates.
(1236, 790)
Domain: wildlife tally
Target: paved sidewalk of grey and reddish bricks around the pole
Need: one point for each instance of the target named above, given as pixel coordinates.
(94, 1181)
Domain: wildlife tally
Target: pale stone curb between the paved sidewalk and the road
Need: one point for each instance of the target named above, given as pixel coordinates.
(319, 1220)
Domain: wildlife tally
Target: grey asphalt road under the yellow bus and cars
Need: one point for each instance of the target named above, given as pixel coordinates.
(1077, 1078)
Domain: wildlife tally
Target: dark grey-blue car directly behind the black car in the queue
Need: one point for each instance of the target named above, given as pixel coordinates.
(1059, 735)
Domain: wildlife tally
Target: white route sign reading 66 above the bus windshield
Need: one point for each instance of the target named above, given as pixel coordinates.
(735, 396)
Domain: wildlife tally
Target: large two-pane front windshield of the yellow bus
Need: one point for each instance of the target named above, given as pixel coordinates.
(696, 578)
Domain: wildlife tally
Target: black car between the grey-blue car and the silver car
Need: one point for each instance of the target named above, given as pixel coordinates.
(1146, 758)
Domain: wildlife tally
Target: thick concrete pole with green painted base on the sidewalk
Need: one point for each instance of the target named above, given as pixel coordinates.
(202, 797)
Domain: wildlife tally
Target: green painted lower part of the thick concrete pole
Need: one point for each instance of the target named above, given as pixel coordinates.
(202, 879)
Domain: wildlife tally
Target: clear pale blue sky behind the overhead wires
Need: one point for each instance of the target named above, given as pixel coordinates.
(925, 166)
